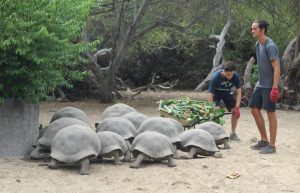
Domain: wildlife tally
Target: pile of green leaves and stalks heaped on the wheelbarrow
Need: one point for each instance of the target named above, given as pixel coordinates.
(192, 111)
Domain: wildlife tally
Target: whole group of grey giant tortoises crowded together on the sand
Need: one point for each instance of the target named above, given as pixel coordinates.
(123, 132)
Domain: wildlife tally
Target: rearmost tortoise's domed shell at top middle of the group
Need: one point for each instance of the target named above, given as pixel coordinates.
(115, 110)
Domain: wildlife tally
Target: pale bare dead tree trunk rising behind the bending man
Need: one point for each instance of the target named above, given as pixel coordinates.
(218, 56)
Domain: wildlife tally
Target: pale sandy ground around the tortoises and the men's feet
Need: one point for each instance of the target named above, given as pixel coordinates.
(279, 172)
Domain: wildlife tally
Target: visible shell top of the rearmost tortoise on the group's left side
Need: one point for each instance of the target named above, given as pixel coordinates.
(72, 112)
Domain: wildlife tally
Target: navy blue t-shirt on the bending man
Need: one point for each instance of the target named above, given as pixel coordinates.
(220, 85)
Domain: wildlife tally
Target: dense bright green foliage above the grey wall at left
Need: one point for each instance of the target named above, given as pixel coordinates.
(39, 46)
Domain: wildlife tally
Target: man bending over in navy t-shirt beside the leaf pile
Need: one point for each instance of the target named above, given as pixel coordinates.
(220, 89)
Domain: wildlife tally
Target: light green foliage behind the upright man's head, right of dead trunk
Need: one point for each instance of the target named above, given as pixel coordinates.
(280, 14)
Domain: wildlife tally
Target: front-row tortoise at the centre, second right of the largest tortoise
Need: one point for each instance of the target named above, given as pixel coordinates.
(154, 146)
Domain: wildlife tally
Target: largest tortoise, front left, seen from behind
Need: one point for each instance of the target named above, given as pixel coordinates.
(75, 144)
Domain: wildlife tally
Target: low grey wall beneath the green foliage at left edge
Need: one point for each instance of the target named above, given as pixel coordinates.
(18, 127)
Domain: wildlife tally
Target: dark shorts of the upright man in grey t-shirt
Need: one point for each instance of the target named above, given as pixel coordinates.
(261, 99)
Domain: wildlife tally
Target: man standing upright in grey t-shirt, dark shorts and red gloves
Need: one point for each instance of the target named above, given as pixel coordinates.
(266, 92)
